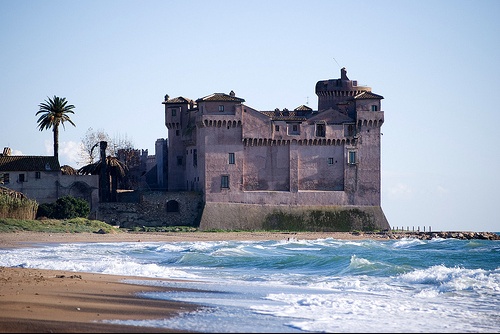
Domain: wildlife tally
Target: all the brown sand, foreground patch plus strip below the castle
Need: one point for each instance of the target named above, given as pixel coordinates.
(41, 301)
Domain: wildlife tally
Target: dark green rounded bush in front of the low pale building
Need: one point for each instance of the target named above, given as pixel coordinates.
(64, 208)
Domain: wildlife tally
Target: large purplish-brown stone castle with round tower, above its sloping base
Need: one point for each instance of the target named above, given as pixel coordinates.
(278, 160)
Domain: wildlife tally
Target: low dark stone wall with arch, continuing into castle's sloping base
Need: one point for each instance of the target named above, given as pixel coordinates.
(156, 208)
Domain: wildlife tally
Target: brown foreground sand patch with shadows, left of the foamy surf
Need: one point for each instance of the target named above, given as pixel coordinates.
(57, 301)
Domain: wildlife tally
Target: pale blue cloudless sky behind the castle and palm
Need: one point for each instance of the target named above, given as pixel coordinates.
(436, 63)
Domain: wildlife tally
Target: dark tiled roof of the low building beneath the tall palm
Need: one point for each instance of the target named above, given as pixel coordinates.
(27, 163)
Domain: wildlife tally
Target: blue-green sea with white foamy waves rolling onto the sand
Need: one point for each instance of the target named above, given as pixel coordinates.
(300, 286)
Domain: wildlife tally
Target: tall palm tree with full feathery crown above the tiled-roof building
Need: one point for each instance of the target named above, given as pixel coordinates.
(54, 112)
